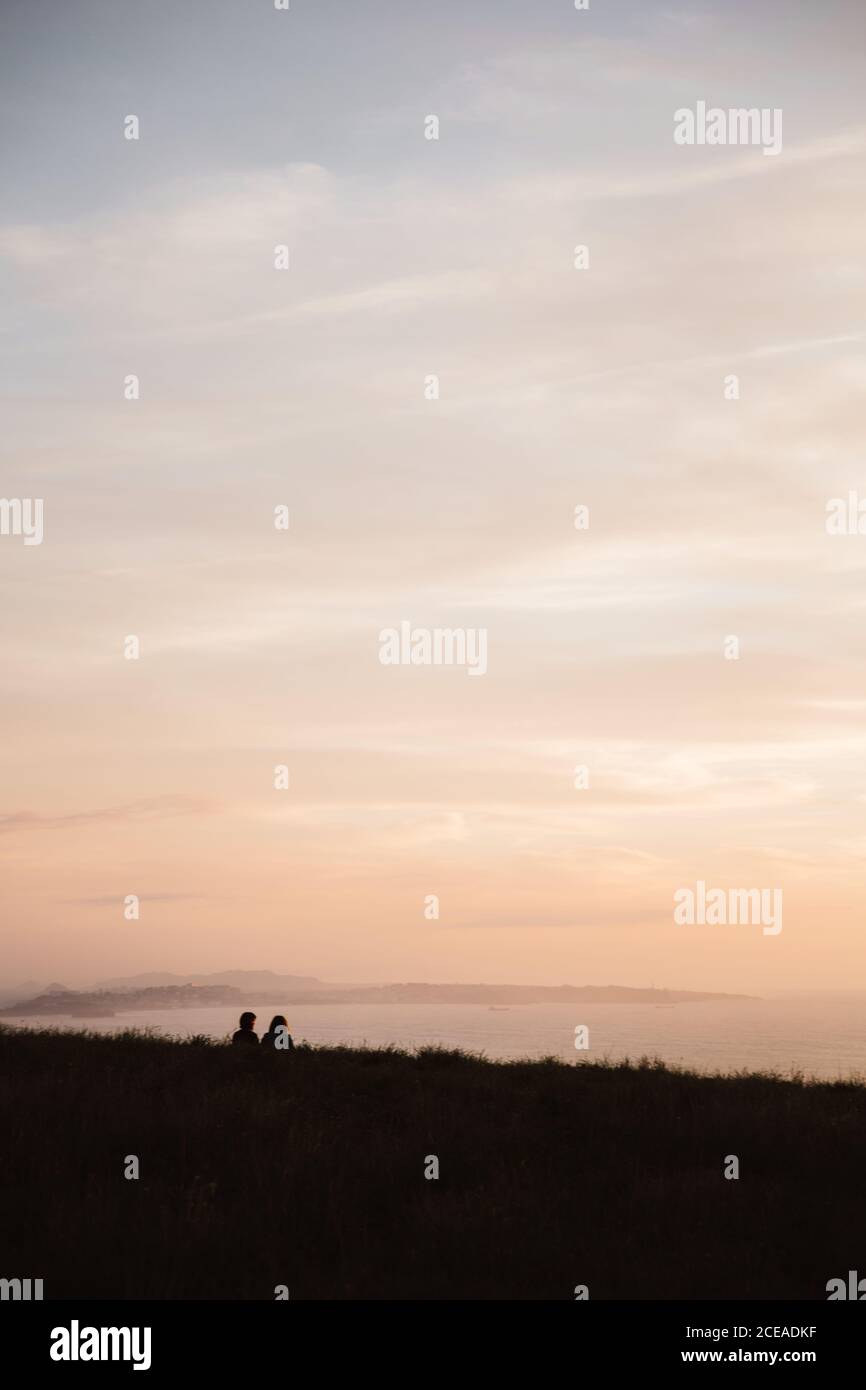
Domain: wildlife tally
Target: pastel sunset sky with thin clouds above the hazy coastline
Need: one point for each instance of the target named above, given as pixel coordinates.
(603, 387)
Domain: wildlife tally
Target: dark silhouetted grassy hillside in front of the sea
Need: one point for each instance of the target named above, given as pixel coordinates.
(308, 1170)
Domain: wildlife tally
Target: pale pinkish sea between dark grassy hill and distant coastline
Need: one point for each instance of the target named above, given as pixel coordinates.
(819, 1038)
